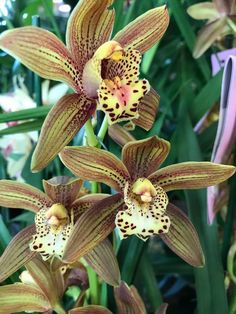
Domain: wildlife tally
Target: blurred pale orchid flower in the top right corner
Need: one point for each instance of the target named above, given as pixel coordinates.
(220, 15)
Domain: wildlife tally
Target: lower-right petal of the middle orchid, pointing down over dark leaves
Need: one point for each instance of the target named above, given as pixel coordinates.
(182, 237)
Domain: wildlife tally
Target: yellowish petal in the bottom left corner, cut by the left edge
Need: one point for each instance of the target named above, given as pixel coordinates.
(21, 297)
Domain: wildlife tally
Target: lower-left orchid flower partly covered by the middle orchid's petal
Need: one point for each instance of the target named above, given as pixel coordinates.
(57, 211)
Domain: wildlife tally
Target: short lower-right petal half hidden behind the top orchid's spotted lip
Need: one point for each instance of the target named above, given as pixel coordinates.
(147, 109)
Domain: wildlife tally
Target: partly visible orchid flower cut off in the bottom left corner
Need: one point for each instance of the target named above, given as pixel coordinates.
(40, 290)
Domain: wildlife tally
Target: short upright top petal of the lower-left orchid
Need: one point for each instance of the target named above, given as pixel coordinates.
(63, 189)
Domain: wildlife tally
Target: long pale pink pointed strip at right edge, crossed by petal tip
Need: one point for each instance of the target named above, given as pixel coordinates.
(225, 137)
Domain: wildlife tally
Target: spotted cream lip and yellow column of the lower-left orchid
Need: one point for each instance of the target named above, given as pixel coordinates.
(53, 228)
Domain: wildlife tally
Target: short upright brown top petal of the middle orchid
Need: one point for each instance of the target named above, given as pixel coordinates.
(143, 157)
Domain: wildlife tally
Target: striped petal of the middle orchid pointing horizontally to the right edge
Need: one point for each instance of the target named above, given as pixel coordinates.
(191, 175)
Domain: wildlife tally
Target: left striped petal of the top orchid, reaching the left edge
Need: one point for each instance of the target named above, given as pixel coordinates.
(42, 52)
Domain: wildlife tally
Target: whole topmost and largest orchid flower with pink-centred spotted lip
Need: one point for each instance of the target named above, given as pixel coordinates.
(102, 72)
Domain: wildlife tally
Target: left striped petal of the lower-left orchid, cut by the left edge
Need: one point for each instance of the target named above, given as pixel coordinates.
(21, 195)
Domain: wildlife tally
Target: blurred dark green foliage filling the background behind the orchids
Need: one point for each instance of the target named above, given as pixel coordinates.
(188, 91)
